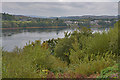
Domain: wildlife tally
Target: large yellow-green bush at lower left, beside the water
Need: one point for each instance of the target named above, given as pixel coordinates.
(30, 62)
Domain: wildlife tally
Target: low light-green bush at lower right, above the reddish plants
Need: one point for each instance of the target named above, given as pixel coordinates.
(91, 64)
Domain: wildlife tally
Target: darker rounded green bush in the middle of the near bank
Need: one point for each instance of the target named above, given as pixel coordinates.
(62, 49)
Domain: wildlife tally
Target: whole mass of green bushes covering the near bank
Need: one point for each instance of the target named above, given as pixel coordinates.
(80, 54)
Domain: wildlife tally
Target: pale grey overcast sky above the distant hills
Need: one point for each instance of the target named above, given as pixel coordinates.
(61, 7)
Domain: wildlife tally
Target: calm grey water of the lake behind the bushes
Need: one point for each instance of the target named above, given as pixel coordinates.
(12, 38)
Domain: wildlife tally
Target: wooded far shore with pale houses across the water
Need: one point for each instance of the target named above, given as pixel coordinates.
(21, 21)
